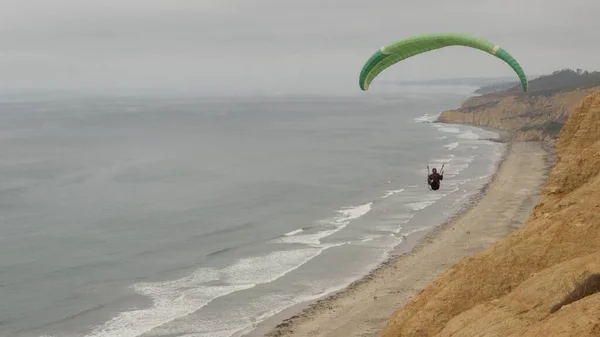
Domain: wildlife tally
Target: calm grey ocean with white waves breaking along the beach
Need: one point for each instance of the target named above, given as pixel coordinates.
(203, 216)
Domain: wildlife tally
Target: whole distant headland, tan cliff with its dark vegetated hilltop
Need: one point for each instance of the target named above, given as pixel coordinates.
(536, 115)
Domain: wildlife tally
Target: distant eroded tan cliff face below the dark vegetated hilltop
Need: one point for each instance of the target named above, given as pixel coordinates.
(535, 116)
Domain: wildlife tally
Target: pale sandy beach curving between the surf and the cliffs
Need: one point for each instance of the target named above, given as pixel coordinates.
(363, 308)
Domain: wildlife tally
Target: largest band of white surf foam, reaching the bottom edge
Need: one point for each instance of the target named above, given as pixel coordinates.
(179, 298)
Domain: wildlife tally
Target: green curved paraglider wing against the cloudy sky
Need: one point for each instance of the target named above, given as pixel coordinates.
(397, 51)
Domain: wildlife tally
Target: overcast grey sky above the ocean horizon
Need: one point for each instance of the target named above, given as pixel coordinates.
(277, 46)
